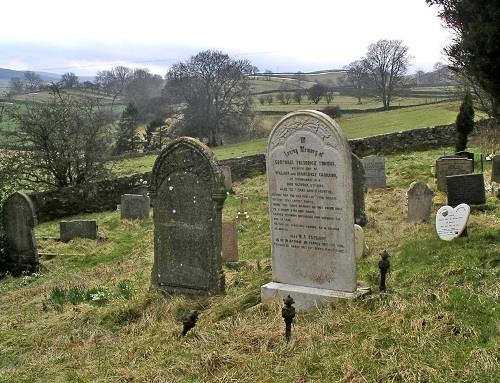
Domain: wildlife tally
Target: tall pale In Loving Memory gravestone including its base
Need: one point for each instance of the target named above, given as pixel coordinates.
(309, 174)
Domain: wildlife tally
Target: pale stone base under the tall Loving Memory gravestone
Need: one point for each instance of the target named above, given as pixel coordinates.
(306, 298)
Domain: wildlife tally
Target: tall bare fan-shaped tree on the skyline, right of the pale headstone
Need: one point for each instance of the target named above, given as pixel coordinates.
(386, 63)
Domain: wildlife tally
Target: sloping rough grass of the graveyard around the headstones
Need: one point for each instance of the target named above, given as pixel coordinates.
(89, 316)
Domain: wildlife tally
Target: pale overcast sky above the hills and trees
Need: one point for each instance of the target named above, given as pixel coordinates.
(85, 36)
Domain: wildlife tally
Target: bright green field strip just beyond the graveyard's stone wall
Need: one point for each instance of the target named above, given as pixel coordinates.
(355, 126)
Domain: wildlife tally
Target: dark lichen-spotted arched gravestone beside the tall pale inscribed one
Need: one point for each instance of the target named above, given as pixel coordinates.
(187, 190)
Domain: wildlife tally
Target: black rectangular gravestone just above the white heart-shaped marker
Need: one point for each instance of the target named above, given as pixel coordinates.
(467, 188)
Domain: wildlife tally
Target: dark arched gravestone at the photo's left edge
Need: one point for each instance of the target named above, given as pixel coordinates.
(19, 220)
